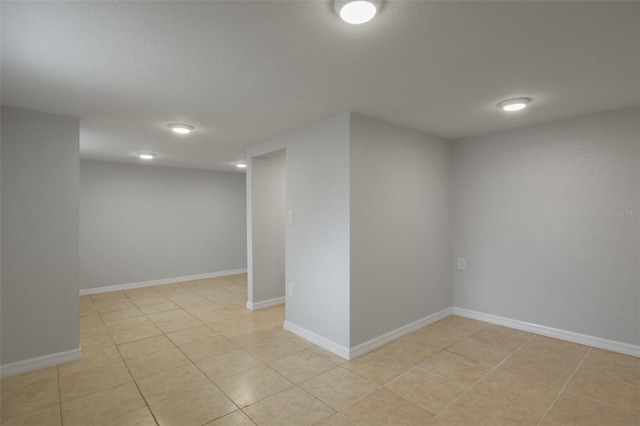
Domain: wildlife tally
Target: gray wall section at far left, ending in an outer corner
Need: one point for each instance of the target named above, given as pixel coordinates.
(39, 264)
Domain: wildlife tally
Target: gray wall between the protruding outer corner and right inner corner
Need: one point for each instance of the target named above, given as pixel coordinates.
(400, 230)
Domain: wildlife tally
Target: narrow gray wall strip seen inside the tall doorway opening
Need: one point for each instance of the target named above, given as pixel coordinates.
(268, 222)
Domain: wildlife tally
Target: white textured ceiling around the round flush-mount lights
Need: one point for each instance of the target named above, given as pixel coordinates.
(245, 71)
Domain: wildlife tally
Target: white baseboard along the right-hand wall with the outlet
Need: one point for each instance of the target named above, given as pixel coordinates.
(583, 339)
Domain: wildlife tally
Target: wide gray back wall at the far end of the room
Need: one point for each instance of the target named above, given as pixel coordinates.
(142, 223)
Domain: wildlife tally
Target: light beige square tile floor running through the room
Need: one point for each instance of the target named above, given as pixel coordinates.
(191, 354)
